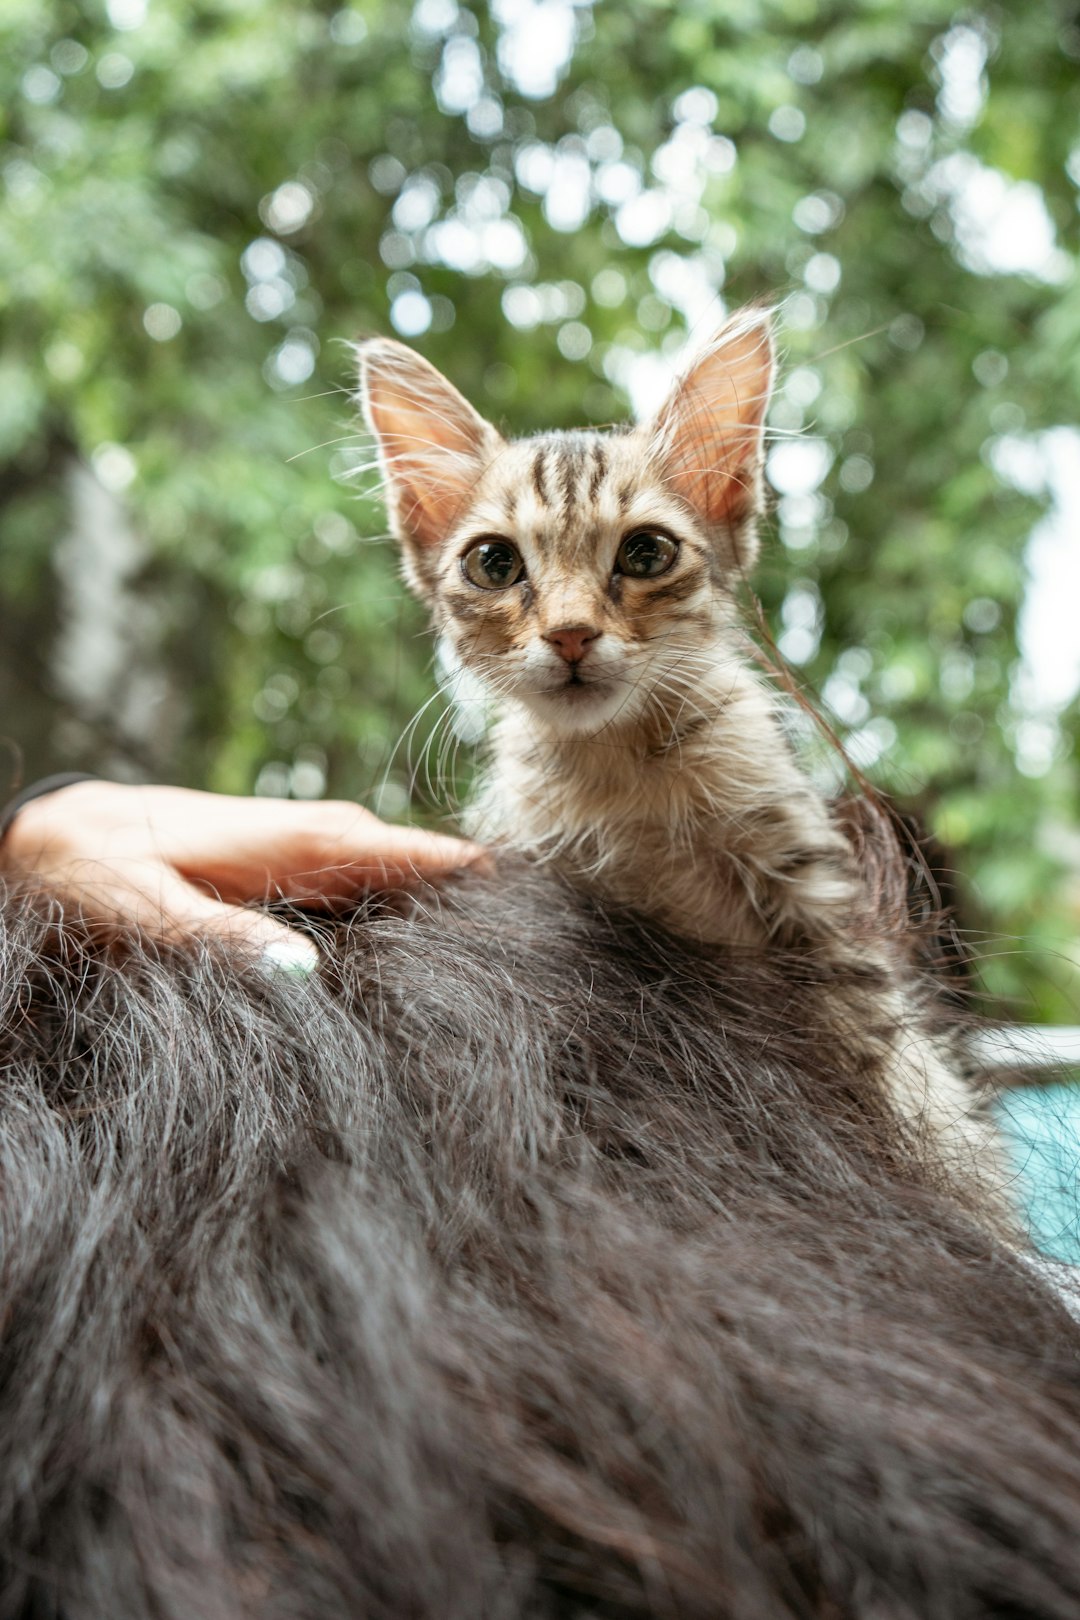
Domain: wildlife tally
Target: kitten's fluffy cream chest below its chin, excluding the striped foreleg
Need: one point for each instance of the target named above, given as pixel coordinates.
(658, 821)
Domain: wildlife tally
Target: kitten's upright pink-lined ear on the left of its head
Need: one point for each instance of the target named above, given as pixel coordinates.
(432, 443)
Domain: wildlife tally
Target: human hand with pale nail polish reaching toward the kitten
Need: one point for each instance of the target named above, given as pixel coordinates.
(181, 863)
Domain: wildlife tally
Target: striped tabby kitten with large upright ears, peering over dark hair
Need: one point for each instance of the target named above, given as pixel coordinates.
(589, 581)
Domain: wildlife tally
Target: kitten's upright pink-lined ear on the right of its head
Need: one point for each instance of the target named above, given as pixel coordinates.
(708, 437)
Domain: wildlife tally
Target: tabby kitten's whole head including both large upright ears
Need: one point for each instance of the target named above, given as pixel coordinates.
(582, 576)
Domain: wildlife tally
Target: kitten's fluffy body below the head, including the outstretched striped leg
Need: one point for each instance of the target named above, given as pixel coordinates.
(660, 822)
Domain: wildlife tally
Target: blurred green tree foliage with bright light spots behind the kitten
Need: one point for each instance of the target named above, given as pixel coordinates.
(205, 200)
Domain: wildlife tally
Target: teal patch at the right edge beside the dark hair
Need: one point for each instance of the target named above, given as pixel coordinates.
(1042, 1127)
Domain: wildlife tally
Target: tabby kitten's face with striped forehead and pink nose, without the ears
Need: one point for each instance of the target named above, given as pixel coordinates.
(576, 584)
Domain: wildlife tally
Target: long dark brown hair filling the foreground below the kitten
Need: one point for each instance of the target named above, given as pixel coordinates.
(525, 1264)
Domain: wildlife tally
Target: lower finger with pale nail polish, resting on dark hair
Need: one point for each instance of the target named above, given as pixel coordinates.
(150, 897)
